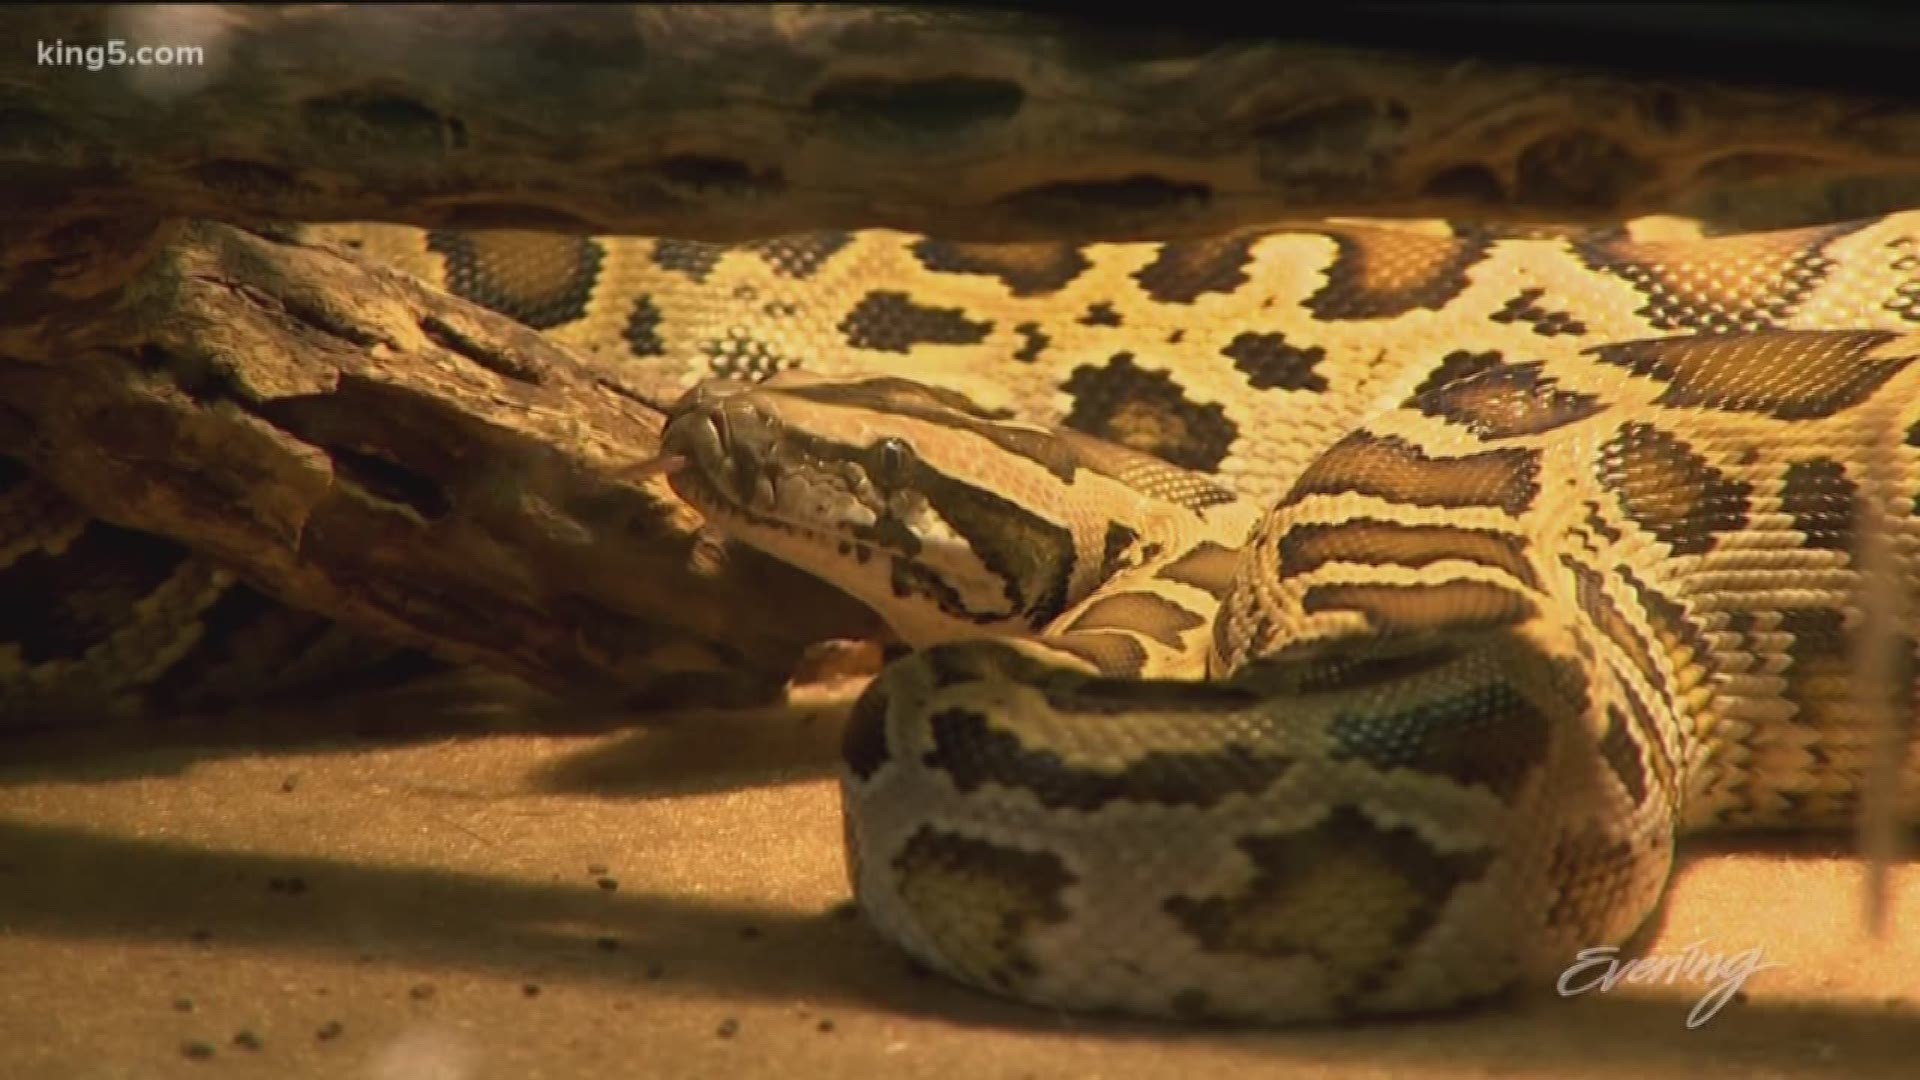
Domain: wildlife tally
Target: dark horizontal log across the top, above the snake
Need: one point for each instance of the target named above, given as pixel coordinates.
(731, 122)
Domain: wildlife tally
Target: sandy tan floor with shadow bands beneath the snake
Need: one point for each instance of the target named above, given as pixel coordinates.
(477, 902)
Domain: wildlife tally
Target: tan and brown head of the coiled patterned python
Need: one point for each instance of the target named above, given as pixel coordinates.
(946, 520)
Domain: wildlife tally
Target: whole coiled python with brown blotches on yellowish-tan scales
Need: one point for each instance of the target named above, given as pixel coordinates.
(1322, 622)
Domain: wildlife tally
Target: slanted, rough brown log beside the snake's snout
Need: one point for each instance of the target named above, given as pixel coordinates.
(410, 464)
